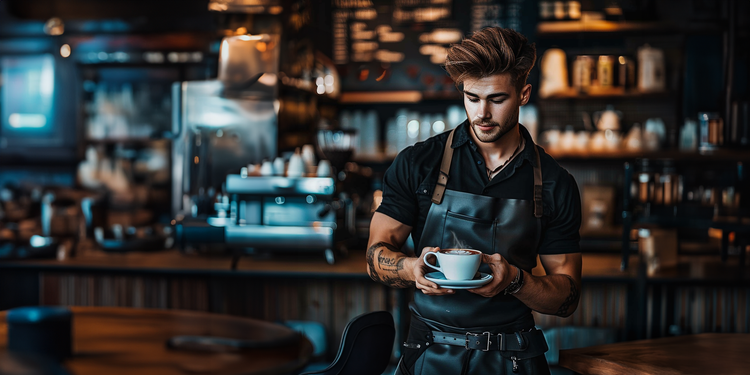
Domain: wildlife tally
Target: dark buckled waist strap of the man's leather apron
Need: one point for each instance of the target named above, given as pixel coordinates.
(512, 342)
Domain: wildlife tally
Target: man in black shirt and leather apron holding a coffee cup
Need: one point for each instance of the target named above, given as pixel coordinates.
(487, 185)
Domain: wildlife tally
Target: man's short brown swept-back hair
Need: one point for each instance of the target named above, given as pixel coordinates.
(491, 51)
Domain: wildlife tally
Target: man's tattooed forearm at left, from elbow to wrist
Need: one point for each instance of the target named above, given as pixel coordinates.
(387, 265)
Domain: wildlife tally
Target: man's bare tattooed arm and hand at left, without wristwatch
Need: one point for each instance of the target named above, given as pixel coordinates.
(386, 264)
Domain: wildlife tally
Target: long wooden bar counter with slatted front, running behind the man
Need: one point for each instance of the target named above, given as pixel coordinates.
(694, 295)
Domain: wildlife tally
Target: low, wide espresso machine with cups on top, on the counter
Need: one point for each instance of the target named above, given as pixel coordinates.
(268, 214)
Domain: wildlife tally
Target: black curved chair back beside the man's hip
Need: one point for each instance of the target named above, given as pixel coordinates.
(366, 346)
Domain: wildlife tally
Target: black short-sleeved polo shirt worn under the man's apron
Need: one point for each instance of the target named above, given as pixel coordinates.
(409, 182)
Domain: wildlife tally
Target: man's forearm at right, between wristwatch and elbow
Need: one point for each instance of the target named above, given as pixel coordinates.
(556, 294)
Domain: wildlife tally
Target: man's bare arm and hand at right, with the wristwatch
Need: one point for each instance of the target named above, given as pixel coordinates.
(556, 293)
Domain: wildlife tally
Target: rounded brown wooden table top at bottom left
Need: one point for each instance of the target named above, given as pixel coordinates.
(109, 340)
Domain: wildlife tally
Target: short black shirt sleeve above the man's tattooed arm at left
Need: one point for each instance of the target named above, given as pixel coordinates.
(399, 187)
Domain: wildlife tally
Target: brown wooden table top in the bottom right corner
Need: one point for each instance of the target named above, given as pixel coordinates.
(707, 353)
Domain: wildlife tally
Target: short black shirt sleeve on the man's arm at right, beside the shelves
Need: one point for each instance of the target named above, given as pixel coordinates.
(561, 233)
